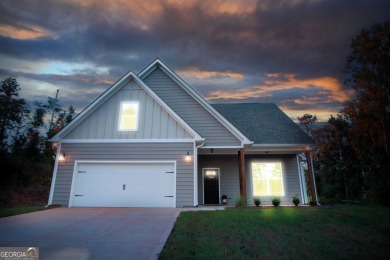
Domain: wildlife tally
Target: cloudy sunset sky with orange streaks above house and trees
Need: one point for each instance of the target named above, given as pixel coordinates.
(289, 52)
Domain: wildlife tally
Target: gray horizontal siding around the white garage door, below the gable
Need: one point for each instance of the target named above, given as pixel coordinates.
(127, 152)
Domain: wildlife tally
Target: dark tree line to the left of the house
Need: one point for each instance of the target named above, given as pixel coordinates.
(27, 157)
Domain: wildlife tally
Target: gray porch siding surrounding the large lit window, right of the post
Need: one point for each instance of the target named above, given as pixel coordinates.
(290, 178)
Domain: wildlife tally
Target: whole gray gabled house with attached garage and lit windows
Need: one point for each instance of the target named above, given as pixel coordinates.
(151, 140)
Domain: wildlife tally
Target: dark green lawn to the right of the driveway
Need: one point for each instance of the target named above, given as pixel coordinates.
(339, 232)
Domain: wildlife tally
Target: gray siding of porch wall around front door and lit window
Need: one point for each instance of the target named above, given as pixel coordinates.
(229, 176)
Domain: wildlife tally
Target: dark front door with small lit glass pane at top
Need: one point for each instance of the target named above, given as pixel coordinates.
(211, 186)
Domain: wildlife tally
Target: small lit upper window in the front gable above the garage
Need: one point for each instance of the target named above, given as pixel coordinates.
(128, 116)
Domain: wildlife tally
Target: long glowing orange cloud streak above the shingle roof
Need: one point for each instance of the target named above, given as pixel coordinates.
(330, 87)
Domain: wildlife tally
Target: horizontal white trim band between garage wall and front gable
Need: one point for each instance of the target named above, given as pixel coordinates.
(72, 141)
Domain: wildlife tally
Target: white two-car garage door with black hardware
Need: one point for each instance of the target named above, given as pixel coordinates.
(123, 185)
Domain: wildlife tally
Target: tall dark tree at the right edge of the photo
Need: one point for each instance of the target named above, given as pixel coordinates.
(368, 71)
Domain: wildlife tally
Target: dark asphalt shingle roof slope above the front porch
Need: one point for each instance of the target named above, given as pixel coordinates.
(263, 123)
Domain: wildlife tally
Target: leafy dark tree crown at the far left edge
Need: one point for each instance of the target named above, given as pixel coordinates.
(13, 110)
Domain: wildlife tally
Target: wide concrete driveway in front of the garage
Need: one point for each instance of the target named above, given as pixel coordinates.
(91, 233)
